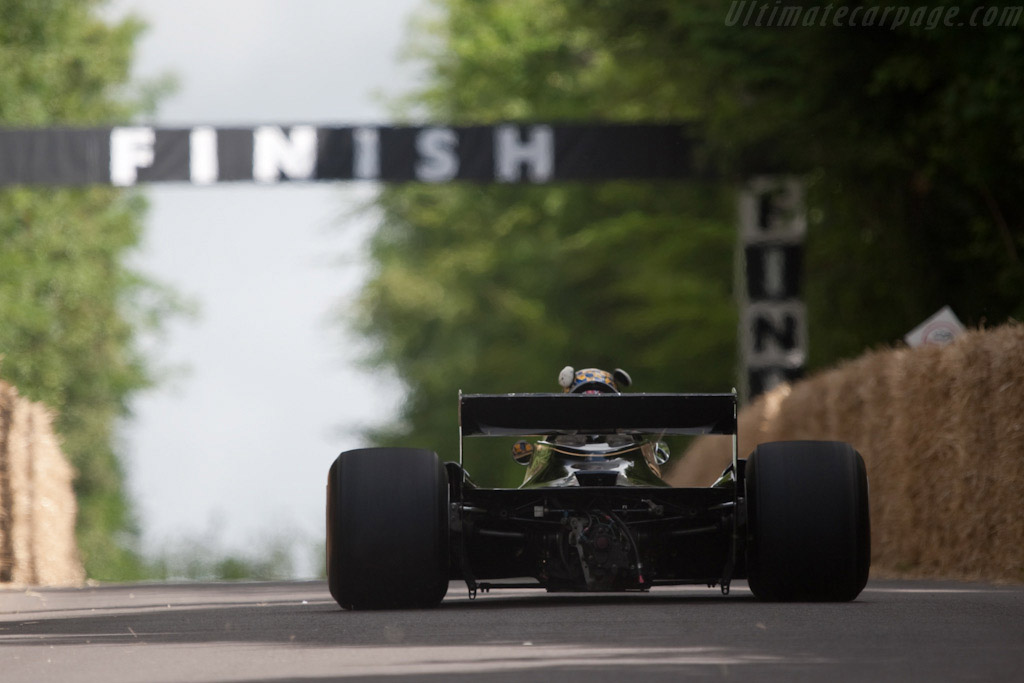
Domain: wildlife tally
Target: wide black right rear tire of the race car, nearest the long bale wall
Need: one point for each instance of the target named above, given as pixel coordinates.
(809, 532)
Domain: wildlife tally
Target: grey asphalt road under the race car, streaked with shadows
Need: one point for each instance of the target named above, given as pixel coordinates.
(293, 631)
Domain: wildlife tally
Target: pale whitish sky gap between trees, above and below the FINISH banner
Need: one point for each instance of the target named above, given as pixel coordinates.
(236, 449)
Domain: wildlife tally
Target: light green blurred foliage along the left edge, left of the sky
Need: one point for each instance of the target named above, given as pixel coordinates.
(70, 309)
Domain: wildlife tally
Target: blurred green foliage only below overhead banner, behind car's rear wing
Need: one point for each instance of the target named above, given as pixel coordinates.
(494, 290)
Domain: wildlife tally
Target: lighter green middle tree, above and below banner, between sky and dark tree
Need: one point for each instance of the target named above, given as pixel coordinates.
(493, 289)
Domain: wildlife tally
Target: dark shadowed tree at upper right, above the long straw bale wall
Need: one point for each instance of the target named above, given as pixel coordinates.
(912, 137)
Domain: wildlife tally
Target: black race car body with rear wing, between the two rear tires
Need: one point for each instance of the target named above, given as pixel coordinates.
(594, 514)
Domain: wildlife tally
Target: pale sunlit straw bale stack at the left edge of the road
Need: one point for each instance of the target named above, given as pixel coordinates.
(37, 504)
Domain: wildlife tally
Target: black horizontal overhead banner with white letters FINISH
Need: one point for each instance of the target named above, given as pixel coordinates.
(206, 155)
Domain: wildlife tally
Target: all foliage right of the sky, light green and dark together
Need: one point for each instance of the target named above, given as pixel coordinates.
(912, 140)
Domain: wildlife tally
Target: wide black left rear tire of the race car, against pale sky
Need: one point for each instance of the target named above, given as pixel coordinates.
(388, 530)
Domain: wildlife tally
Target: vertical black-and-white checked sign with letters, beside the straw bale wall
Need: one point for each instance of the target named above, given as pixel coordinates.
(771, 273)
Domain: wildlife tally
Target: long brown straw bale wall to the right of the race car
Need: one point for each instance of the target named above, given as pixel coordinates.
(942, 431)
